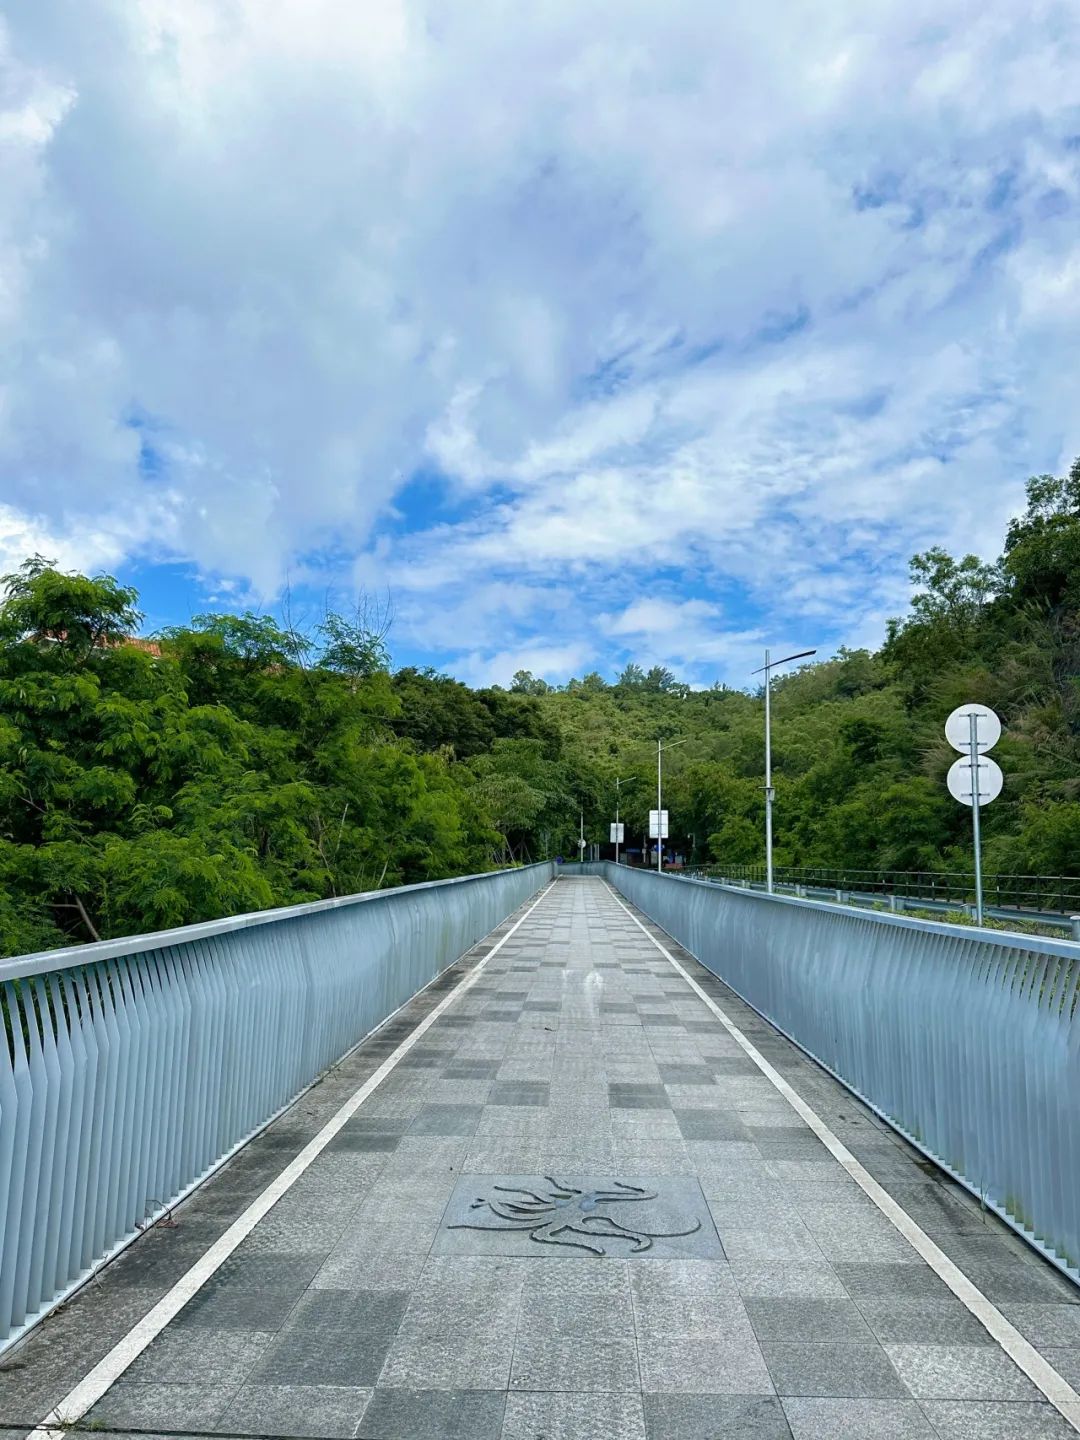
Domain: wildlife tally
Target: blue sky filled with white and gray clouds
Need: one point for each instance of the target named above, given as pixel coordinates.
(590, 330)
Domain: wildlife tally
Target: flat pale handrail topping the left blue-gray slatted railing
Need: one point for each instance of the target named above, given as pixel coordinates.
(44, 963)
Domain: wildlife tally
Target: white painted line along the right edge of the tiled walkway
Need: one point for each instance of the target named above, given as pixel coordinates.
(1020, 1351)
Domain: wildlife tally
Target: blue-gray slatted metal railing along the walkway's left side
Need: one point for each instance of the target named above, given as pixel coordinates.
(132, 1069)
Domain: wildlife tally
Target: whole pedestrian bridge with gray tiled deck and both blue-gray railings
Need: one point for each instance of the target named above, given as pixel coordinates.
(503, 1158)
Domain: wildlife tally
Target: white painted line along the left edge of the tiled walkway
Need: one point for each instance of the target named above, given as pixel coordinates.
(97, 1382)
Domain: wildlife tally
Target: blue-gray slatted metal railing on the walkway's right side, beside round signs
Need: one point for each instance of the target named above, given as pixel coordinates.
(967, 1042)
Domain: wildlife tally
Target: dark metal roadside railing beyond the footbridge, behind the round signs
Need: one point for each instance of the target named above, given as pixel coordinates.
(1033, 895)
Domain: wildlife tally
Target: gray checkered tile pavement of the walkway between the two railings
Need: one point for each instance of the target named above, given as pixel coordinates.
(788, 1307)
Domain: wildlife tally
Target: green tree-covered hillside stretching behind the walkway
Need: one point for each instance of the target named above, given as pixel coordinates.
(235, 764)
